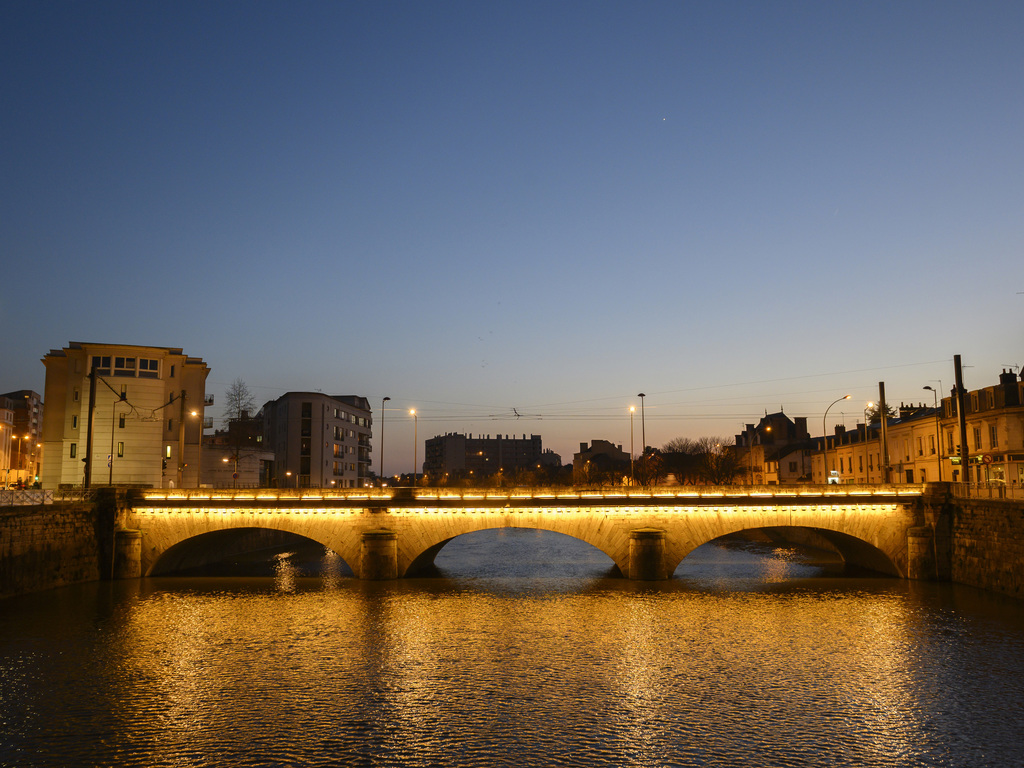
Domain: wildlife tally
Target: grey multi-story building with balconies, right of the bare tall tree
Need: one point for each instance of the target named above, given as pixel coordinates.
(319, 441)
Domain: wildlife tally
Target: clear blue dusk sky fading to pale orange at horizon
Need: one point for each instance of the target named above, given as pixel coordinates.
(475, 207)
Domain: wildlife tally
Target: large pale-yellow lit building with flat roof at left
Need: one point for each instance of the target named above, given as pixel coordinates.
(145, 406)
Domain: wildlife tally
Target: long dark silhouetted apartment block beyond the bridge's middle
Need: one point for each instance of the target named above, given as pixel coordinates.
(455, 456)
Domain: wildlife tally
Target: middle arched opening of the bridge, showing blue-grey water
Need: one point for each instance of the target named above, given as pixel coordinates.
(513, 552)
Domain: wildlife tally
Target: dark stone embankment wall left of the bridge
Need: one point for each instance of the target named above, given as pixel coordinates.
(54, 545)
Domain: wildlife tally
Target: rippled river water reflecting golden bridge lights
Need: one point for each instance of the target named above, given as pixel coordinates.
(526, 650)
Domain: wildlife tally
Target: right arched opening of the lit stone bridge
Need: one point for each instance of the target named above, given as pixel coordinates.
(785, 553)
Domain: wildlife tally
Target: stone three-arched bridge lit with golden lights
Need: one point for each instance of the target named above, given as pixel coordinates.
(393, 533)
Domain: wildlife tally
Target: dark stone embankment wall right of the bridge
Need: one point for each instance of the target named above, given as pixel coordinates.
(987, 545)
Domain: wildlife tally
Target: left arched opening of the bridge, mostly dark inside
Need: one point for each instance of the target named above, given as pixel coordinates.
(250, 552)
